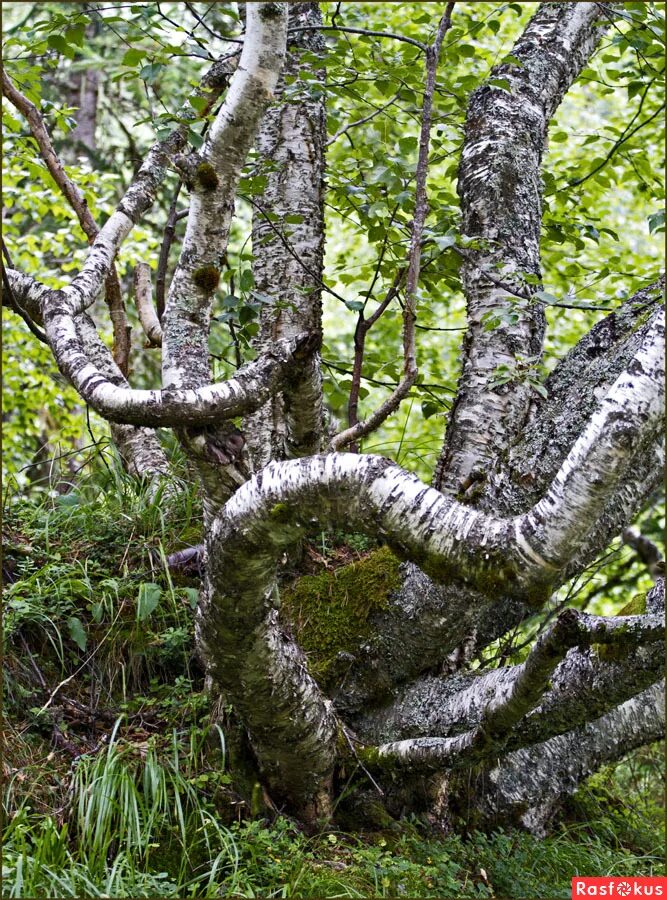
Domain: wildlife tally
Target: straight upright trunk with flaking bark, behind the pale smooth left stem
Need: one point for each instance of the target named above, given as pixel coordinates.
(288, 244)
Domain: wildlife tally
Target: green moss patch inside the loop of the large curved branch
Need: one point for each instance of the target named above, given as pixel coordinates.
(331, 611)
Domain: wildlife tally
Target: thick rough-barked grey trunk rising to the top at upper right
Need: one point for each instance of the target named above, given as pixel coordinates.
(500, 190)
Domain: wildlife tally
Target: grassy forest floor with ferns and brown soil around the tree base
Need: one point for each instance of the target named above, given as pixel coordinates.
(116, 783)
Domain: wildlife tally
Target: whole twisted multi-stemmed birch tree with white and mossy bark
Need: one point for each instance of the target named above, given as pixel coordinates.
(535, 475)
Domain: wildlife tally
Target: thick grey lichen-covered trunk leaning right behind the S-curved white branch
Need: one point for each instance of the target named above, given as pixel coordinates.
(454, 623)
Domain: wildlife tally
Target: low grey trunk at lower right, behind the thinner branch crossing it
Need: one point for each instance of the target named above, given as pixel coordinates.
(586, 684)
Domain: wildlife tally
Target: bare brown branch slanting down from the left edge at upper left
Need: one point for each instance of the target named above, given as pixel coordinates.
(75, 198)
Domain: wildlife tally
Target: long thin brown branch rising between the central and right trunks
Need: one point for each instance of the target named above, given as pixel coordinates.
(410, 371)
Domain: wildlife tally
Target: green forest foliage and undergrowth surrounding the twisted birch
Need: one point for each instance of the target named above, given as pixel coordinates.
(115, 781)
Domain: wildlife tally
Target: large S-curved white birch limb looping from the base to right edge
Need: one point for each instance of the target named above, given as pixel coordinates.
(238, 626)
